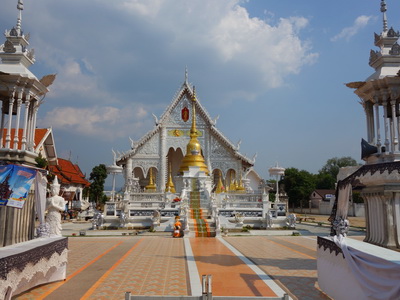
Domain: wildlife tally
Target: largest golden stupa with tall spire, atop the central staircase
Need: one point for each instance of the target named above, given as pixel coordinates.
(193, 157)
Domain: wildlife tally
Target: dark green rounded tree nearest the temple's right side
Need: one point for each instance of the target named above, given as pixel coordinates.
(298, 186)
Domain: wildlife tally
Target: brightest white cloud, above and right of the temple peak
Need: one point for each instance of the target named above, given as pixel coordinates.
(229, 38)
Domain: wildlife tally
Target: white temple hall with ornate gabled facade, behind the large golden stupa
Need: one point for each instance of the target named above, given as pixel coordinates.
(163, 148)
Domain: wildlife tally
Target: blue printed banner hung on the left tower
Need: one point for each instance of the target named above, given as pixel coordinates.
(15, 182)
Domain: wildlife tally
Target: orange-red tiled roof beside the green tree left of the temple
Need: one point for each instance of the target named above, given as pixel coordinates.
(69, 173)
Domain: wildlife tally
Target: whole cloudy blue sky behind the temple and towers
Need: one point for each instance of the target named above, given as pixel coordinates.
(273, 70)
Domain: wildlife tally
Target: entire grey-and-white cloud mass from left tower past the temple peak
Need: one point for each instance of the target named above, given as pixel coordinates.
(109, 55)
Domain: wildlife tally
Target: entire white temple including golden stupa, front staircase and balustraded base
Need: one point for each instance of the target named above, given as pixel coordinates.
(186, 167)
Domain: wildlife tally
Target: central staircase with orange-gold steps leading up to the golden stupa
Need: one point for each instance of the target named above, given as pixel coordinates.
(200, 221)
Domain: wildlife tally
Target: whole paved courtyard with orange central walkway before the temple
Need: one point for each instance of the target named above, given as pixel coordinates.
(105, 264)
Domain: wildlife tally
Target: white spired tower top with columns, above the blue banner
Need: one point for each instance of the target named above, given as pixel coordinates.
(20, 93)
